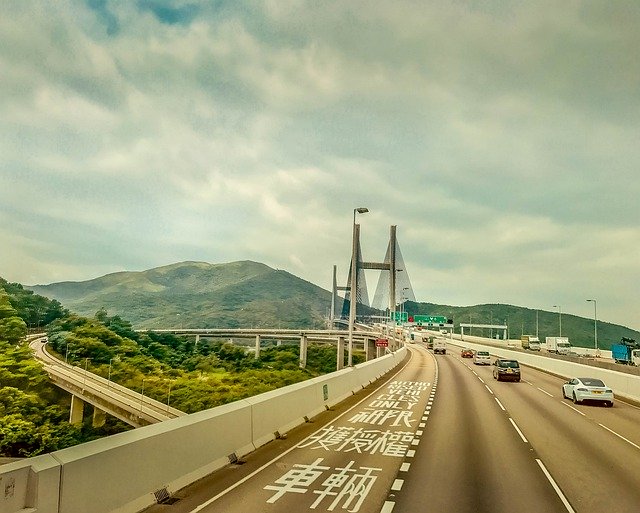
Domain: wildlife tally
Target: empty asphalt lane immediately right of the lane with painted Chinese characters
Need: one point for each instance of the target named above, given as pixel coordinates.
(472, 457)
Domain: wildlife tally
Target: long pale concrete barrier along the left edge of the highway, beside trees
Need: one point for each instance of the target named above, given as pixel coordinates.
(127, 472)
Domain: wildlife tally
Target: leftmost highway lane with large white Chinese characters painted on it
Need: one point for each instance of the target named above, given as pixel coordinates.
(350, 463)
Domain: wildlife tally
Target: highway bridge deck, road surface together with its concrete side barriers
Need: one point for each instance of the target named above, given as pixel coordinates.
(415, 431)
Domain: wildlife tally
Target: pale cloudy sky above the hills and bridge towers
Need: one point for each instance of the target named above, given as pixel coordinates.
(500, 137)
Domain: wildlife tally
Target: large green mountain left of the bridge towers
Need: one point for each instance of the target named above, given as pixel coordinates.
(199, 294)
